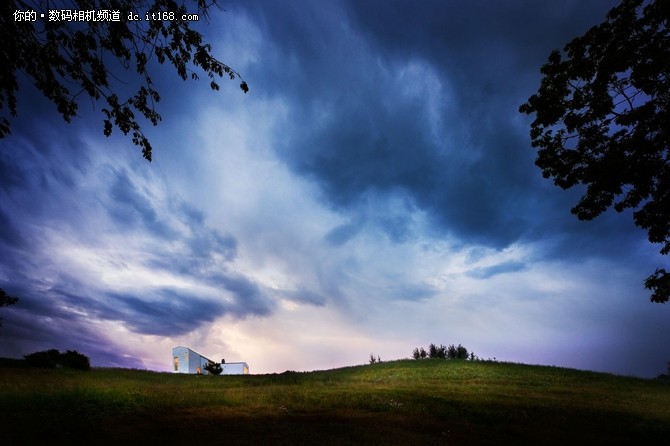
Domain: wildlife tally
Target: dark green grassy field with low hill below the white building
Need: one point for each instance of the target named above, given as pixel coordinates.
(399, 402)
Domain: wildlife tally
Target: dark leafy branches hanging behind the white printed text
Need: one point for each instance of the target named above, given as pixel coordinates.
(79, 48)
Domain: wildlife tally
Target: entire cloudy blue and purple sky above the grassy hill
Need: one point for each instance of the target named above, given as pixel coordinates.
(375, 191)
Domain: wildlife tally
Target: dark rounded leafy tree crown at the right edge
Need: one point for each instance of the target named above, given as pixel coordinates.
(602, 119)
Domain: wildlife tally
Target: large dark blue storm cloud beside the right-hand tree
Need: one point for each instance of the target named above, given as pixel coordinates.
(359, 131)
